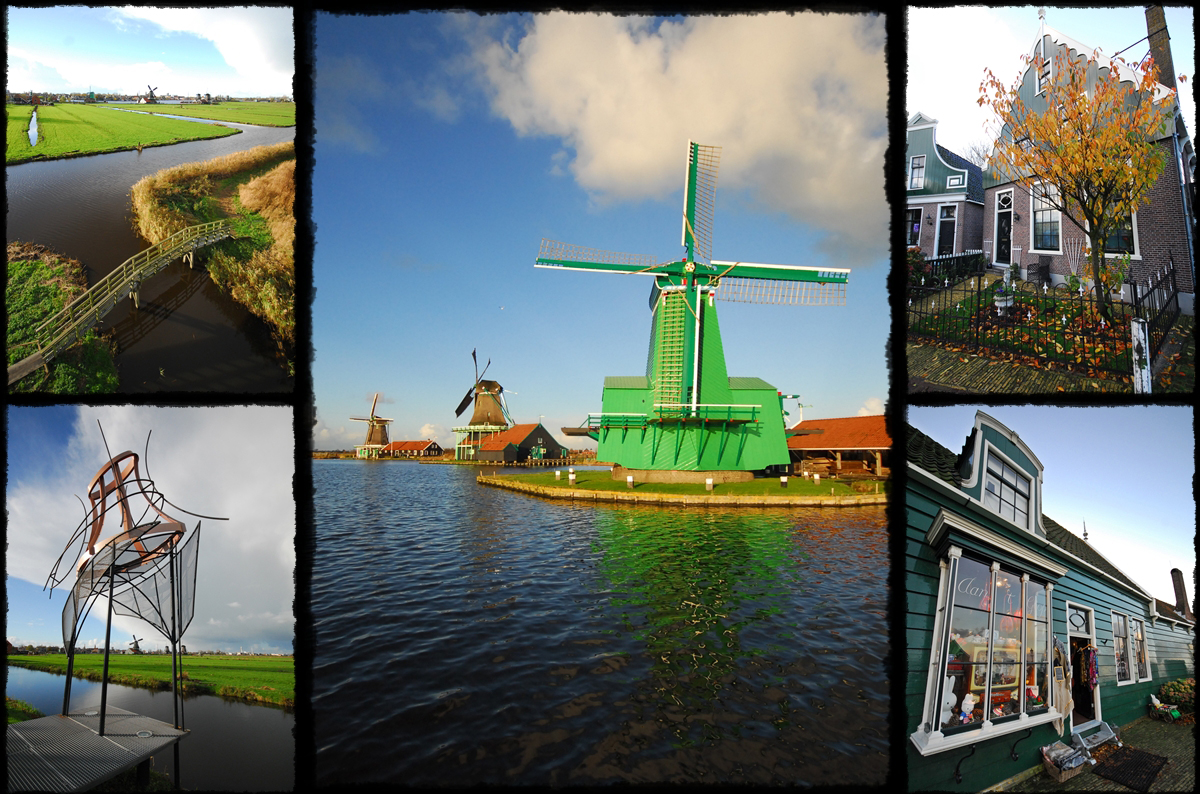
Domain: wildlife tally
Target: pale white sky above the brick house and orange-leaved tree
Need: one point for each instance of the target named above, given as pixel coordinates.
(947, 89)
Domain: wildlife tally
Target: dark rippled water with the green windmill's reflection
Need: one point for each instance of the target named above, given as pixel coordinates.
(471, 635)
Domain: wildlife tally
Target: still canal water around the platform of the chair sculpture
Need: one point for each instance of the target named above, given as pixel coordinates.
(232, 747)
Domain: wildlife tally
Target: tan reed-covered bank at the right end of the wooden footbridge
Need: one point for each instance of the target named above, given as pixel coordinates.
(255, 188)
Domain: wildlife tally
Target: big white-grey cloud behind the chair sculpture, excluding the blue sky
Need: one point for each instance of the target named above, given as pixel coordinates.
(231, 462)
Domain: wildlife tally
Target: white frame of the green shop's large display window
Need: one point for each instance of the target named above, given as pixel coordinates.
(929, 738)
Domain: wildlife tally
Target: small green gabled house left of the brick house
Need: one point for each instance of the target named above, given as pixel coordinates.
(944, 195)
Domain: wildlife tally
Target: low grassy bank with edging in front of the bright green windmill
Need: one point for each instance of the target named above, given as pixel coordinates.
(797, 486)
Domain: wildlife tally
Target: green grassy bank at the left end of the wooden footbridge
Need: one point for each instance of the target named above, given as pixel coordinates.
(40, 285)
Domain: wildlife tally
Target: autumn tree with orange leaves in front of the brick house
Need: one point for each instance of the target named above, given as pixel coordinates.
(1094, 143)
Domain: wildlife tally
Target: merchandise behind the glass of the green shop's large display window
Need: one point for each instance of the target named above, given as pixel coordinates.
(998, 649)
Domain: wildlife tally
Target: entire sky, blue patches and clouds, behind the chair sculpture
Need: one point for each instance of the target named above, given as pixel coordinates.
(247, 564)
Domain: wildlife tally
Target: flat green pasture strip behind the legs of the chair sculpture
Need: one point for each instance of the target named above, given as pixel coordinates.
(256, 679)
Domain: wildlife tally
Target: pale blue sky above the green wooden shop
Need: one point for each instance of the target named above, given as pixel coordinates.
(1127, 472)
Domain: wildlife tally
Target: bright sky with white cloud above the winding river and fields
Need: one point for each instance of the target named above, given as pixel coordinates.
(235, 52)
